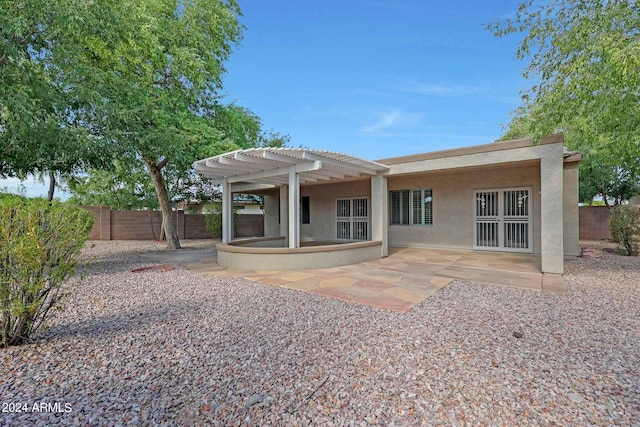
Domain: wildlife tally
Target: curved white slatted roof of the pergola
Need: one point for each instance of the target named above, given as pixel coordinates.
(269, 165)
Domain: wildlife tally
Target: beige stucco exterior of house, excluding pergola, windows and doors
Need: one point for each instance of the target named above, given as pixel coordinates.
(453, 181)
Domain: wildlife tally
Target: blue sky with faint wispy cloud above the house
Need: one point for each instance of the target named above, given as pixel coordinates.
(371, 78)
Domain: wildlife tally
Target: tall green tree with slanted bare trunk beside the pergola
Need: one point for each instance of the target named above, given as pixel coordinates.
(150, 72)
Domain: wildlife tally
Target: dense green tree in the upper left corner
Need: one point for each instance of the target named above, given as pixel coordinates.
(39, 133)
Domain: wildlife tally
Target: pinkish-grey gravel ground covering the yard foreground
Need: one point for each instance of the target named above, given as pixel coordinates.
(181, 348)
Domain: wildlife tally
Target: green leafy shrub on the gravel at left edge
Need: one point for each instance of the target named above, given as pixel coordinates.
(38, 242)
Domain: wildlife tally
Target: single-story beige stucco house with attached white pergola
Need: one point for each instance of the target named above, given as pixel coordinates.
(513, 196)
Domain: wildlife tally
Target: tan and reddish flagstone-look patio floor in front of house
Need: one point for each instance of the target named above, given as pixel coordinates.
(405, 278)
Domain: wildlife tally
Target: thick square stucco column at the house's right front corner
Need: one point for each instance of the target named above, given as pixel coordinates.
(551, 208)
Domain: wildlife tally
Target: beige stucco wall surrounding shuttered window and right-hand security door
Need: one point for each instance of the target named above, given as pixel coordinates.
(453, 203)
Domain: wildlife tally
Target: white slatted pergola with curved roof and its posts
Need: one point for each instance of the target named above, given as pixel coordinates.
(286, 168)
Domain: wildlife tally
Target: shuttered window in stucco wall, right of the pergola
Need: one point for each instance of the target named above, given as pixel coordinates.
(412, 207)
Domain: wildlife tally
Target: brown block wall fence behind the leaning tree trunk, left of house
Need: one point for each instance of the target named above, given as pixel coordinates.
(145, 225)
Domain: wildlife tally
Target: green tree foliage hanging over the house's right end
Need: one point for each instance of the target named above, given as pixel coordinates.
(584, 57)
